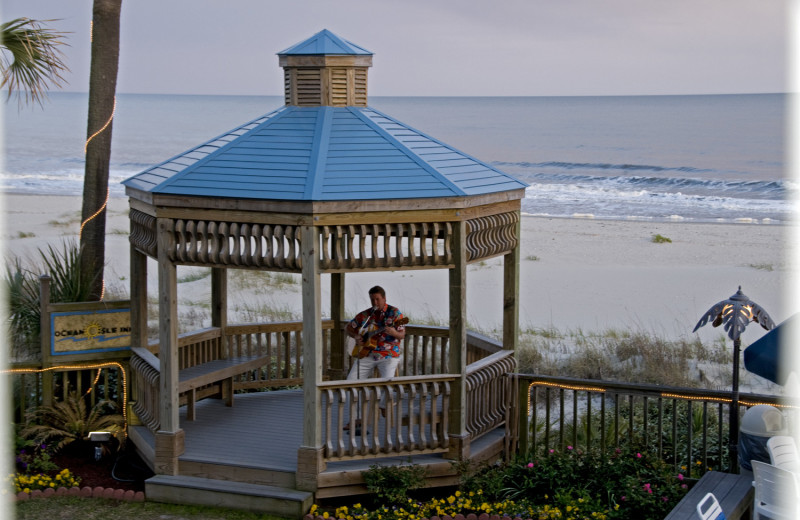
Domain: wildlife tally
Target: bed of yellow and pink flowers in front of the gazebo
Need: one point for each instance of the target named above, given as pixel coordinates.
(619, 485)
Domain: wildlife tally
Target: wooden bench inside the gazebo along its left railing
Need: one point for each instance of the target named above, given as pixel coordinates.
(217, 371)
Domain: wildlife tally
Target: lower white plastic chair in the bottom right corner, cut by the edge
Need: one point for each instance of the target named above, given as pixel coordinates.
(777, 493)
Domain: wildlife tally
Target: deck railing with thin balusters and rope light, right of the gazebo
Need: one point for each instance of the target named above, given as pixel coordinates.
(685, 427)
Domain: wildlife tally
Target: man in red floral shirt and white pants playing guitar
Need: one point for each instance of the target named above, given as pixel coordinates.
(377, 332)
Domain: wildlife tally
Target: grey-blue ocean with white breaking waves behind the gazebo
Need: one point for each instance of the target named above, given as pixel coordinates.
(689, 158)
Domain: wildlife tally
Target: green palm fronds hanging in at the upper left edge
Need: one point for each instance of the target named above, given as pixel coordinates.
(31, 60)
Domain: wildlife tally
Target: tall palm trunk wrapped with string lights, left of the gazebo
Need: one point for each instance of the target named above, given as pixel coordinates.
(102, 91)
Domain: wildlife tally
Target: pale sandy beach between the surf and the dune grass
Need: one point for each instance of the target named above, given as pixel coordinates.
(576, 274)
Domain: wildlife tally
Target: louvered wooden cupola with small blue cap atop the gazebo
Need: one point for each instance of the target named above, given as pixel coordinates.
(325, 70)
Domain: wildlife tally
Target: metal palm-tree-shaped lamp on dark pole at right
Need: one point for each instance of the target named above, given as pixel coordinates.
(736, 313)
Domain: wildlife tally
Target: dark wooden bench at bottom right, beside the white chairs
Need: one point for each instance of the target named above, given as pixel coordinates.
(734, 493)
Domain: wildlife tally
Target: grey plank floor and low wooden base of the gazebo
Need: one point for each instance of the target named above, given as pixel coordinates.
(257, 440)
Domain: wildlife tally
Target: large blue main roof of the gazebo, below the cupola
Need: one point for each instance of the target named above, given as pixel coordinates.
(324, 154)
